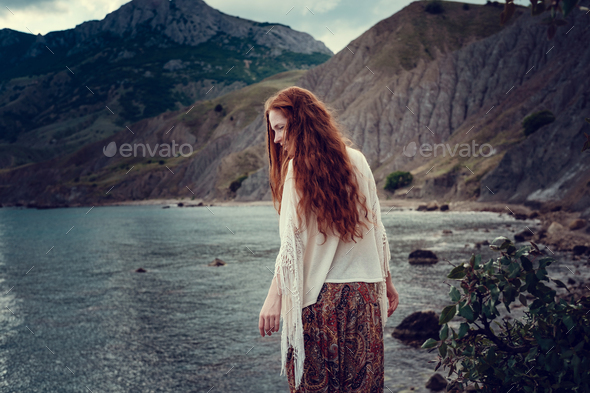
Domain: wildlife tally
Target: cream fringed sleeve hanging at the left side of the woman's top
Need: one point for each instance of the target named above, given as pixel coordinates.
(289, 276)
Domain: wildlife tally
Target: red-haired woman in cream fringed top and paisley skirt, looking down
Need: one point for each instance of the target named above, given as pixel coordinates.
(331, 283)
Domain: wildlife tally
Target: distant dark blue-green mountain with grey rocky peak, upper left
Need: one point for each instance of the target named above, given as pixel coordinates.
(69, 88)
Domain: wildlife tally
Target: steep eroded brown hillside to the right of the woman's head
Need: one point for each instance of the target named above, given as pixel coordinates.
(458, 78)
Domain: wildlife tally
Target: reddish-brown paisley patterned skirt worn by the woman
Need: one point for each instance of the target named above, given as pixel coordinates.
(343, 341)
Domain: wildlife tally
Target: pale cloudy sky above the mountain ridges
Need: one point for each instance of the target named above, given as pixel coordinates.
(334, 22)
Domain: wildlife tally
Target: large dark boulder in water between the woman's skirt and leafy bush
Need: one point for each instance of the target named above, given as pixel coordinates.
(418, 327)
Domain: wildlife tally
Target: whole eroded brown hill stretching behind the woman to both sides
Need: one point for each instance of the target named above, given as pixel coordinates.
(456, 77)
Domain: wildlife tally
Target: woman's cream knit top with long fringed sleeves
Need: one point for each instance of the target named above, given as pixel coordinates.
(304, 264)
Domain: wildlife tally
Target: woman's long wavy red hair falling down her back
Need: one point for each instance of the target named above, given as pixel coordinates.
(324, 174)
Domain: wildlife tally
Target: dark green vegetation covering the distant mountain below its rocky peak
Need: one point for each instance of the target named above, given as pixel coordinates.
(134, 79)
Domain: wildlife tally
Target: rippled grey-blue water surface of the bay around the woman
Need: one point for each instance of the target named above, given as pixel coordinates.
(76, 317)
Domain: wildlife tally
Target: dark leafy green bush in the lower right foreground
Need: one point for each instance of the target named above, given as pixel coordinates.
(548, 351)
